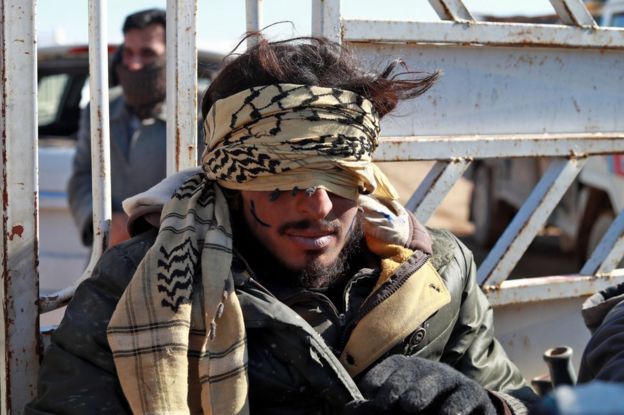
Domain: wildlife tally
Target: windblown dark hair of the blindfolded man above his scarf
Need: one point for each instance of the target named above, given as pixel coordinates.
(319, 62)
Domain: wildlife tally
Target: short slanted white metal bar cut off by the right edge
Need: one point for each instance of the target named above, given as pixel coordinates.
(609, 251)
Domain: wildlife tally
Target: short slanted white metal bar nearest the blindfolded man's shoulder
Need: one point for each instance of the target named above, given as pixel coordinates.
(435, 186)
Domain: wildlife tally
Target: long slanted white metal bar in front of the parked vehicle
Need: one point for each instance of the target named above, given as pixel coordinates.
(528, 221)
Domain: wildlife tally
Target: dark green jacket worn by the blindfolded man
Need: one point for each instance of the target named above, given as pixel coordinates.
(292, 368)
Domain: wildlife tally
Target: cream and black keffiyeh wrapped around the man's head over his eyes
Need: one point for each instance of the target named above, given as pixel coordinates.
(282, 136)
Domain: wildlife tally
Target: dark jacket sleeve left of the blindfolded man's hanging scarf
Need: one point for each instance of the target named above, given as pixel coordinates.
(77, 374)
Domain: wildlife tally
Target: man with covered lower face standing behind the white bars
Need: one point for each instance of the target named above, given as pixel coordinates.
(137, 126)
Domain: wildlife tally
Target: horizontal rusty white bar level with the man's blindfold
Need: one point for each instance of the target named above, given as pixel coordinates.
(492, 146)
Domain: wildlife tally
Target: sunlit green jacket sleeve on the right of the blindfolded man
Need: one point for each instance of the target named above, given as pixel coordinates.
(472, 348)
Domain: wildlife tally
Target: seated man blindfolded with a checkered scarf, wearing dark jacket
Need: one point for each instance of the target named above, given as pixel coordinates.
(283, 276)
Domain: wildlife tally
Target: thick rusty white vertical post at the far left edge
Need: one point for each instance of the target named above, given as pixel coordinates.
(19, 317)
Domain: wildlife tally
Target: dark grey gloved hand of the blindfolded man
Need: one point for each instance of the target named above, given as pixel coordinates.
(412, 385)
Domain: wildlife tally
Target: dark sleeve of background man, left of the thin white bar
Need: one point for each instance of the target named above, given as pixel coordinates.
(79, 185)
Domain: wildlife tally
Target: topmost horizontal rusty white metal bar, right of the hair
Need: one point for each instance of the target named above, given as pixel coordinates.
(482, 33)
